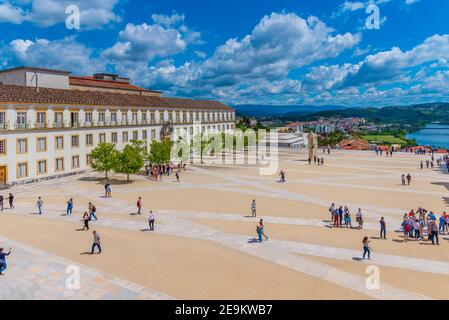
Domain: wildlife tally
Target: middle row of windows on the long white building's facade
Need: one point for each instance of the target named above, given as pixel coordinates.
(41, 142)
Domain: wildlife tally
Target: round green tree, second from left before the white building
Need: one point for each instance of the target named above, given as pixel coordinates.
(129, 161)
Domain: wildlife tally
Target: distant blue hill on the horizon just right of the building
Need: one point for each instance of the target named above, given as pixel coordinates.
(281, 110)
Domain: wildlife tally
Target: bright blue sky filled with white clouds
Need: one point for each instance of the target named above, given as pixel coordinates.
(265, 52)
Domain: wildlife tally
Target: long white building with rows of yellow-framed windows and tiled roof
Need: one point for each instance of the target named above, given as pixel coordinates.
(51, 132)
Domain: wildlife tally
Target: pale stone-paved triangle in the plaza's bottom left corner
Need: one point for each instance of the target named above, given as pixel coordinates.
(39, 275)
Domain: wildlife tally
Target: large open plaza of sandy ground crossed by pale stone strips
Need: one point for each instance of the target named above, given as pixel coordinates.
(204, 245)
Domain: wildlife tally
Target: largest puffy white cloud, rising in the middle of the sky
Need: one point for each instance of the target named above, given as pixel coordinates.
(278, 44)
